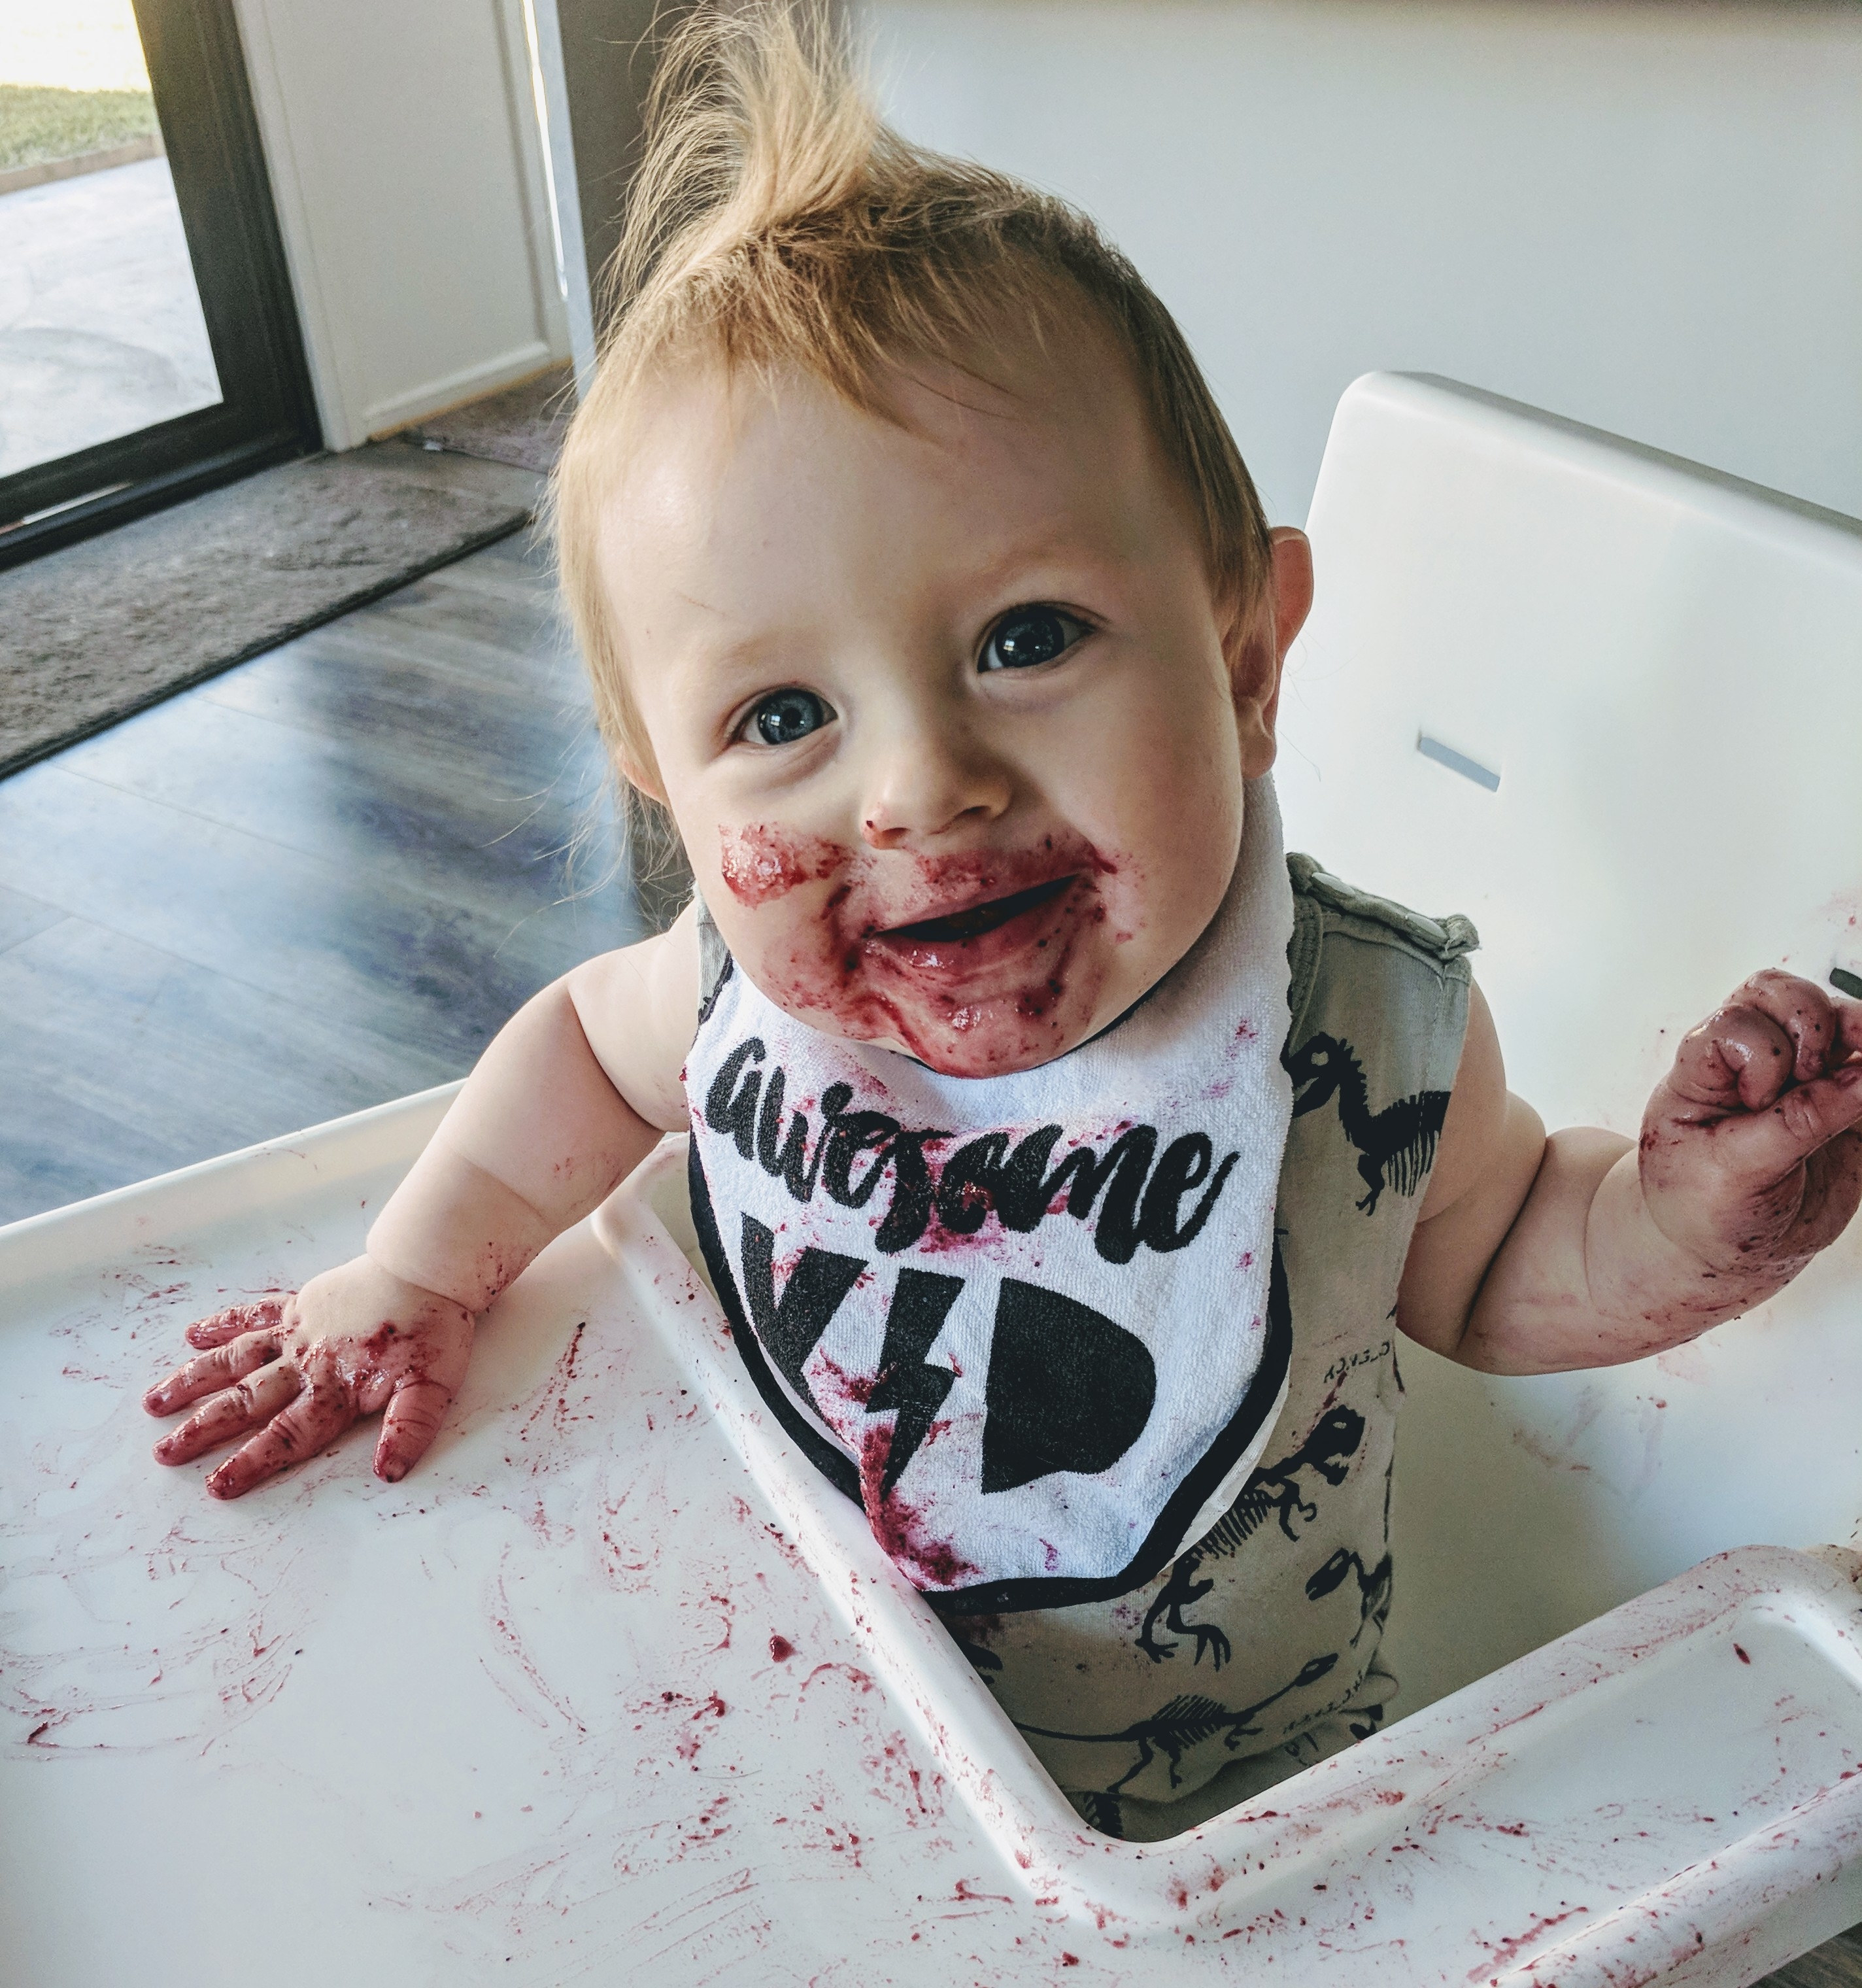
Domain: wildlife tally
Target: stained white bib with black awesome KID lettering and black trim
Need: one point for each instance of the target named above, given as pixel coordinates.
(1036, 1325)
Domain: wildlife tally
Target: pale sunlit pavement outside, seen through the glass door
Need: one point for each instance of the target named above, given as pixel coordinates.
(100, 321)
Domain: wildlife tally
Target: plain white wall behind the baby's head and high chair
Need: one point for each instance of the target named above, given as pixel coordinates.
(1644, 216)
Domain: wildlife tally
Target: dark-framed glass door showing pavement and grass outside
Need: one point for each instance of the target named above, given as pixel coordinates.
(148, 339)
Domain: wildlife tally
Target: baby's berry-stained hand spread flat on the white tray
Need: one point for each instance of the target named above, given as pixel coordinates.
(299, 1371)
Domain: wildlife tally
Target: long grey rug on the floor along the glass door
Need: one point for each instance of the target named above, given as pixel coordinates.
(104, 629)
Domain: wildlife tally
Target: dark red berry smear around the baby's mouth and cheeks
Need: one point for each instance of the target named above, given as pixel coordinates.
(975, 963)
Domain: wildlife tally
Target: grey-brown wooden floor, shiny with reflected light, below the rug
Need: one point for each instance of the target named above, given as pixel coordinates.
(313, 884)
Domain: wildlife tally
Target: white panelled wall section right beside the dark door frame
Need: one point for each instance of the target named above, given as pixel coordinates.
(408, 178)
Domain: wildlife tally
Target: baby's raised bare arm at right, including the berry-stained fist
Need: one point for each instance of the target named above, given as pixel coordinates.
(1585, 1249)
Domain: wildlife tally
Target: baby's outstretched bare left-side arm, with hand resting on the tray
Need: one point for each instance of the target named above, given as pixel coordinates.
(567, 1100)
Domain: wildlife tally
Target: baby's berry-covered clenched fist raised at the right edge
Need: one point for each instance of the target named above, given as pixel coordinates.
(1752, 1154)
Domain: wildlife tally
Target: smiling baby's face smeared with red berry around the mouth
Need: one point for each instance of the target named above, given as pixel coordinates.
(947, 715)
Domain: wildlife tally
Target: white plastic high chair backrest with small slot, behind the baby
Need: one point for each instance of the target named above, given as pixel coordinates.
(1611, 707)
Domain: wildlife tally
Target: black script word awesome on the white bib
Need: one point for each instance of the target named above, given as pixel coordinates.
(1130, 1194)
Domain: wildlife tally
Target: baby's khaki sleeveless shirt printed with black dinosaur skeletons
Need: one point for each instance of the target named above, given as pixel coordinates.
(1177, 1691)
